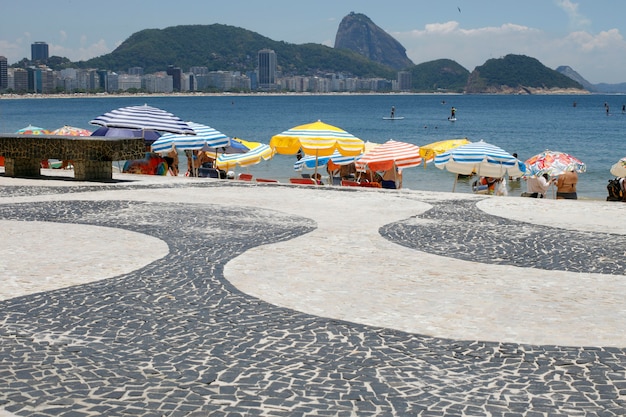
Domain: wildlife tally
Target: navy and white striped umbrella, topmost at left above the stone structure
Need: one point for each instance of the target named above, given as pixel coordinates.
(143, 117)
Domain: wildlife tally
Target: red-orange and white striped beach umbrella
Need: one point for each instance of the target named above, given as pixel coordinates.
(384, 157)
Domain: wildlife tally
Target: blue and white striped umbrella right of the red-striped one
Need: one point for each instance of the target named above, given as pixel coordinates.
(480, 158)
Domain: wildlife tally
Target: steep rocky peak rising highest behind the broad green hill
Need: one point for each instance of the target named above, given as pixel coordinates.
(358, 33)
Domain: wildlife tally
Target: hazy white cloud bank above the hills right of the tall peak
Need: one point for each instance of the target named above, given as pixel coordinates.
(597, 57)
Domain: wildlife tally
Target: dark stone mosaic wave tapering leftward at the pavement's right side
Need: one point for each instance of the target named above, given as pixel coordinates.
(464, 232)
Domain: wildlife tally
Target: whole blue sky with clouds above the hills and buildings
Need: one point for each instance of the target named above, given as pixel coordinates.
(587, 35)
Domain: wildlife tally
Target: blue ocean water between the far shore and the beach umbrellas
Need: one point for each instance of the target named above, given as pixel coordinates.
(526, 125)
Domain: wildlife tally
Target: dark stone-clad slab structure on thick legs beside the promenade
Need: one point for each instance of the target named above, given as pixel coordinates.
(92, 157)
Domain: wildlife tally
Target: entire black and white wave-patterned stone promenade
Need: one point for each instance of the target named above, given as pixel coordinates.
(174, 296)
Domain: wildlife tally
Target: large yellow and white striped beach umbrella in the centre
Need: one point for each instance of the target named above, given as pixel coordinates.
(318, 139)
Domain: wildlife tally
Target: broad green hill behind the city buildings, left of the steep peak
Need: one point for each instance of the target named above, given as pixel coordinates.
(228, 48)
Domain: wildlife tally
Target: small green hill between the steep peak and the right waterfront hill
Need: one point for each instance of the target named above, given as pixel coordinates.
(443, 75)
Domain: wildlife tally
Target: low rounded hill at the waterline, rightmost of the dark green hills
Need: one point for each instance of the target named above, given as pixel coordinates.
(517, 74)
